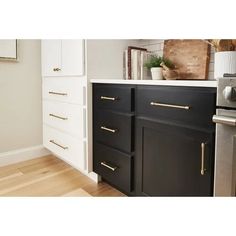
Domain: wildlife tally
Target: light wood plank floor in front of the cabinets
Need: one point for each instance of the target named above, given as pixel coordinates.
(49, 176)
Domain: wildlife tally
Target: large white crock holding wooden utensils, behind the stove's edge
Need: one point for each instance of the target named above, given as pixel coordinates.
(225, 62)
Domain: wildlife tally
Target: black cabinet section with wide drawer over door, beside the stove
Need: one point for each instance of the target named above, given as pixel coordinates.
(174, 141)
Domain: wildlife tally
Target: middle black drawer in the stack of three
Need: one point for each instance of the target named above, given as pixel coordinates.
(114, 129)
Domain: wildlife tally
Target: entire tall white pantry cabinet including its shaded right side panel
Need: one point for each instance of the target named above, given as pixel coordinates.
(67, 67)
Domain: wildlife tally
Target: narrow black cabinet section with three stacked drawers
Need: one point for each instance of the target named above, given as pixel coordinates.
(113, 135)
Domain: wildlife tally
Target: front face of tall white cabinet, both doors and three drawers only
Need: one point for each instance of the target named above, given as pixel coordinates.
(64, 103)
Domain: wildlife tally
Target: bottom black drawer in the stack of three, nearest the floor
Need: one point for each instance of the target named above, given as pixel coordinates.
(113, 166)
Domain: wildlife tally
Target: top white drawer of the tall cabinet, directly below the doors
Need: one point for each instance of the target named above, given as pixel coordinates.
(64, 89)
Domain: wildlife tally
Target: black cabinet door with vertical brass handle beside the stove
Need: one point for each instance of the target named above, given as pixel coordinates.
(169, 160)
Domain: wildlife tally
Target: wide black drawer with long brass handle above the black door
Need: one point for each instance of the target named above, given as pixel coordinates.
(192, 106)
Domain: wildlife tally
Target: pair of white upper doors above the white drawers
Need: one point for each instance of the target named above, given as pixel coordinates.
(62, 57)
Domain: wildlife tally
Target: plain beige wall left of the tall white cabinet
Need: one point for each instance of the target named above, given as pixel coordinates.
(20, 99)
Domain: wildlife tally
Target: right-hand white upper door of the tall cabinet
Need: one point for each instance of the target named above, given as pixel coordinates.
(73, 57)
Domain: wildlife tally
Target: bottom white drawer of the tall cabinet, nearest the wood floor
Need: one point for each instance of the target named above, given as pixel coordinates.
(68, 148)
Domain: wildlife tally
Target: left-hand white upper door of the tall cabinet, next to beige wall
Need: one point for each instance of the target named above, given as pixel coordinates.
(51, 57)
